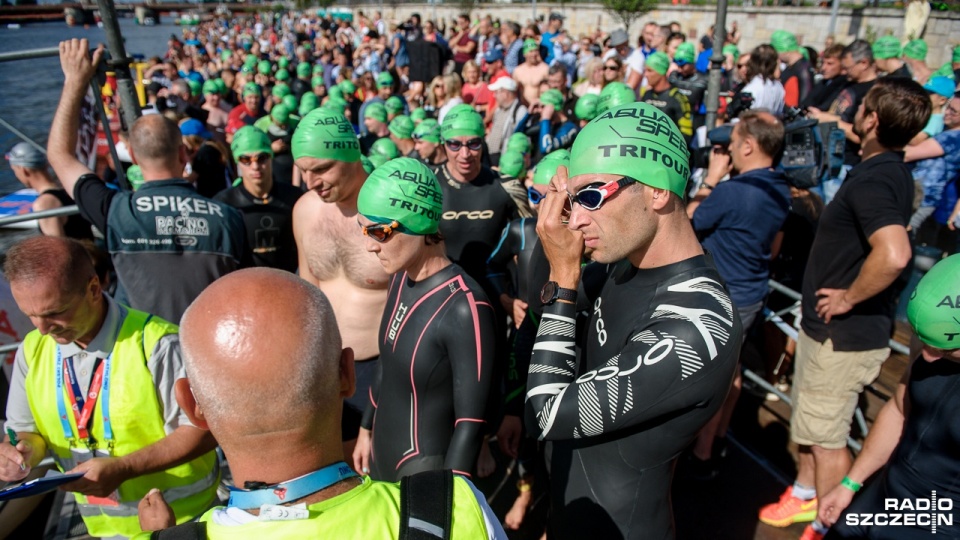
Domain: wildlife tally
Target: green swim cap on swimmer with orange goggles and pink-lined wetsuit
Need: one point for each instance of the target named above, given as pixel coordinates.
(403, 190)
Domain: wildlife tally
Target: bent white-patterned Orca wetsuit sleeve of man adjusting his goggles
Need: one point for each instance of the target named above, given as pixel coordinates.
(664, 368)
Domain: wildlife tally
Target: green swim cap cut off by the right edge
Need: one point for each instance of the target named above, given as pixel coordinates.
(934, 304)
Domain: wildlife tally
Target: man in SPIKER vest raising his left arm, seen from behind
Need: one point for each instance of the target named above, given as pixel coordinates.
(167, 242)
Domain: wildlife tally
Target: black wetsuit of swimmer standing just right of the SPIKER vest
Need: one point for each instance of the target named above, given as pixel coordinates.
(269, 223)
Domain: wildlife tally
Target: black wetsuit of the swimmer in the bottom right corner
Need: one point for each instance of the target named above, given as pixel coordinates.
(927, 459)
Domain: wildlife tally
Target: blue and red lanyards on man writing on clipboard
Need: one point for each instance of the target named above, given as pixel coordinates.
(82, 408)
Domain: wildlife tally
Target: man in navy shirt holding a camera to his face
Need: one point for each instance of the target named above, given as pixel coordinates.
(739, 241)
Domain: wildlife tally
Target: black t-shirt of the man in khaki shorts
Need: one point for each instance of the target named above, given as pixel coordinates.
(875, 194)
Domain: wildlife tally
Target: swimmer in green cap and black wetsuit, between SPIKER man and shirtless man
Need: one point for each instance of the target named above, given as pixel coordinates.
(266, 205)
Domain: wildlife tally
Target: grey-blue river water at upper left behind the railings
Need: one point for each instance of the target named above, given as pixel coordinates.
(30, 89)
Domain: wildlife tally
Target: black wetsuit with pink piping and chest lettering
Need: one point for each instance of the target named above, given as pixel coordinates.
(427, 403)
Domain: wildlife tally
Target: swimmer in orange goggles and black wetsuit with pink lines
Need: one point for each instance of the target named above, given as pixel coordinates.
(437, 336)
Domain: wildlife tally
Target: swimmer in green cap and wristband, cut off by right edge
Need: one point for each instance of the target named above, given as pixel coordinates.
(916, 434)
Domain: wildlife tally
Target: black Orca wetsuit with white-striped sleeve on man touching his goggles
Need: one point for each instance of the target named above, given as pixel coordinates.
(656, 363)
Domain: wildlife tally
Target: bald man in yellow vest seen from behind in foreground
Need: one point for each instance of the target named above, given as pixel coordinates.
(274, 406)
